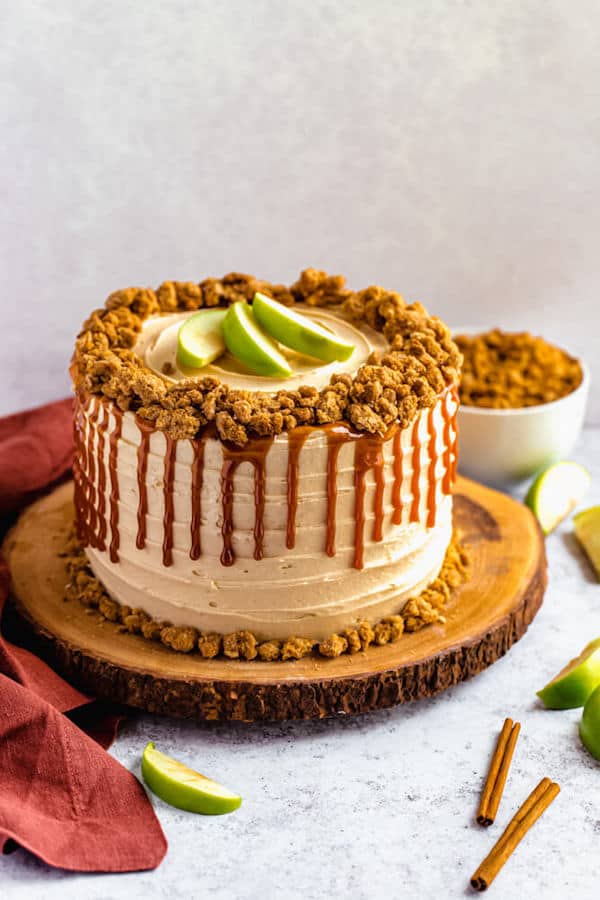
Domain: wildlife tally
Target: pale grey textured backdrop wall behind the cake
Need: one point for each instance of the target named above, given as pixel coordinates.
(448, 150)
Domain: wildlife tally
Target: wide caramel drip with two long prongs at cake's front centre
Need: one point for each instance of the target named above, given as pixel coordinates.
(255, 452)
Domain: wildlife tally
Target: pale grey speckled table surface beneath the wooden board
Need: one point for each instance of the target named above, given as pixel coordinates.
(383, 805)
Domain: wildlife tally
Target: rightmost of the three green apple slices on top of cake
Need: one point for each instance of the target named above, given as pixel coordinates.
(298, 332)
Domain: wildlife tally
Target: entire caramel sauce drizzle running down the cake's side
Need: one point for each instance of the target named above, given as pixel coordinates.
(90, 498)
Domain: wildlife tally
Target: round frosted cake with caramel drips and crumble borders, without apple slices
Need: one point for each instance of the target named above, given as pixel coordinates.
(266, 517)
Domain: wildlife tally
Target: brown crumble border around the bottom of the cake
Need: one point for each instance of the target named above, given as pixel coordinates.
(427, 608)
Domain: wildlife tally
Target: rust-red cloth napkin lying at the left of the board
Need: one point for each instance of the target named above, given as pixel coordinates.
(61, 795)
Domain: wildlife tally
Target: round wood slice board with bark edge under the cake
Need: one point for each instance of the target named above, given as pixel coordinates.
(484, 618)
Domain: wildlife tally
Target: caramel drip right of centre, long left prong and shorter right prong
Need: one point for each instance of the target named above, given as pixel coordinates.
(368, 454)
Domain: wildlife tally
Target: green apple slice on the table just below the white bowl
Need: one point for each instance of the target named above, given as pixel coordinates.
(556, 492)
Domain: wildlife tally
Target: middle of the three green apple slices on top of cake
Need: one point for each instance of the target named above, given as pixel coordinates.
(250, 345)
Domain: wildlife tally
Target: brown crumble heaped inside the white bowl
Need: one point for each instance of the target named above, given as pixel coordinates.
(504, 370)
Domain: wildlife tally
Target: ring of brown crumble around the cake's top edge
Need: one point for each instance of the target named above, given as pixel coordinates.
(390, 388)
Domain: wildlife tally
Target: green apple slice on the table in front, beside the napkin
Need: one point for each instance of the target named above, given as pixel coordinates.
(184, 788)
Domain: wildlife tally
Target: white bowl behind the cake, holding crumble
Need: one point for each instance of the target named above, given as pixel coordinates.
(502, 447)
